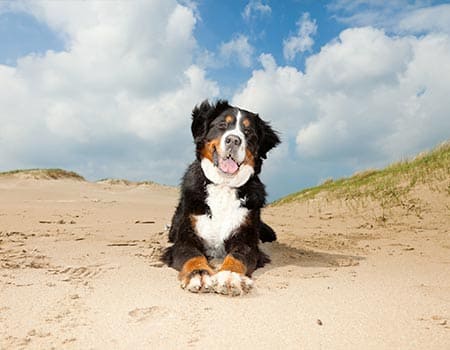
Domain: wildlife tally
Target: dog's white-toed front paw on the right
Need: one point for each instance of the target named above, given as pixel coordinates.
(231, 283)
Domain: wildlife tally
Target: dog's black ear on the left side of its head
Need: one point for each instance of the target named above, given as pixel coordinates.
(203, 114)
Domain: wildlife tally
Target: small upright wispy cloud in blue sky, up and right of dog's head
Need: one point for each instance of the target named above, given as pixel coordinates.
(302, 41)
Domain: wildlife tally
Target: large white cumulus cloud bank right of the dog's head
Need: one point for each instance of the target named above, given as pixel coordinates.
(364, 100)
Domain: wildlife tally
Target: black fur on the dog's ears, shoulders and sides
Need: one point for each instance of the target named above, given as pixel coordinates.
(243, 244)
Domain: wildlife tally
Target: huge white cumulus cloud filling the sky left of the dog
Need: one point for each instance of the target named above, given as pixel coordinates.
(125, 83)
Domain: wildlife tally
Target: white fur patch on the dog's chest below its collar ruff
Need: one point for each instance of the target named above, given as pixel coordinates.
(226, 216)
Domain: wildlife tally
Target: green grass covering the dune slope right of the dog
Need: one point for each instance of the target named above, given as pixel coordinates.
(388, 185)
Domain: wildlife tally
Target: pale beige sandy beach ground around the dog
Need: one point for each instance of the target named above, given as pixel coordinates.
(79, 269)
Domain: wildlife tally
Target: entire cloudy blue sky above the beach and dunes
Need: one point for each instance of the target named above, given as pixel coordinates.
(103, 88)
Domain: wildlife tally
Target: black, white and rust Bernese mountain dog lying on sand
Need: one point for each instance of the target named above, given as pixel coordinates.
(219, 212)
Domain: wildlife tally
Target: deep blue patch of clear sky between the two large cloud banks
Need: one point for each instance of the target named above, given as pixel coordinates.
(221, 21)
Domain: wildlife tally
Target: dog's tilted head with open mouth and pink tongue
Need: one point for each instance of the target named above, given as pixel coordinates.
(231, 143)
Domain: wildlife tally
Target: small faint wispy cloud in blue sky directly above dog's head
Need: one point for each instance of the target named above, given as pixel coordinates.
(237, 49)
